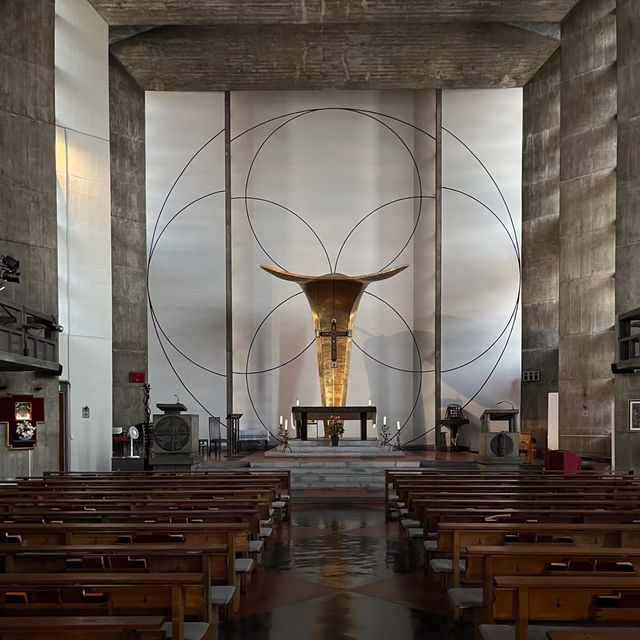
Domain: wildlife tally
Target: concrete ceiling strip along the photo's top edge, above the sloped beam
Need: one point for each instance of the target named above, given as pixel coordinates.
(164, 12)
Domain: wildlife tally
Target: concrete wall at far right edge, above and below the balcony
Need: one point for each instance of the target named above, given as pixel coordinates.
(627, 387)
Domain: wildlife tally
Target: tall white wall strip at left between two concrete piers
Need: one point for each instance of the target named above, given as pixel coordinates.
(84, 228)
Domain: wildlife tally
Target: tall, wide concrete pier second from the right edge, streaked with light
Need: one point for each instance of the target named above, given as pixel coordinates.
(587, 227)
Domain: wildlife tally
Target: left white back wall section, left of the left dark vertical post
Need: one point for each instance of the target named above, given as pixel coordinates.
(187, 273)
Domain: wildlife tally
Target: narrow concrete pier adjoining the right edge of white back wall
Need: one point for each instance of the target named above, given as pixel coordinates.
(540, 245)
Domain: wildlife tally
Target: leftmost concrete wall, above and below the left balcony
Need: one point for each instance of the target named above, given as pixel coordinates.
(27, 200)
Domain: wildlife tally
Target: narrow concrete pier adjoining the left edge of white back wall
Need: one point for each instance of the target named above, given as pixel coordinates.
(128, 243)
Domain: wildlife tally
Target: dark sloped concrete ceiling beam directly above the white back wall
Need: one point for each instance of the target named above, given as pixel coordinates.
(335, 56)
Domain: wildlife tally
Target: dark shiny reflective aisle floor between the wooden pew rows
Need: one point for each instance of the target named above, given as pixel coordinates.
(341, 573)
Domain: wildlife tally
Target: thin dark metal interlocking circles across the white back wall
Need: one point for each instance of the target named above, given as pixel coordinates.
(387, 122)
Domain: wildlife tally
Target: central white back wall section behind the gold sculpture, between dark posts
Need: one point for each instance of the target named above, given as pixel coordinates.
(331, 166)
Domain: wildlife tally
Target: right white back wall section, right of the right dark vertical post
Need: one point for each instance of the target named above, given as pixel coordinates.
(481, 223)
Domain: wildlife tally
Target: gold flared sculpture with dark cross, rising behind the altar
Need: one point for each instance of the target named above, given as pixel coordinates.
(334, 300)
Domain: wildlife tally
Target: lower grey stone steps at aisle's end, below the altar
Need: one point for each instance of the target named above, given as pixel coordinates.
(309, 474)
